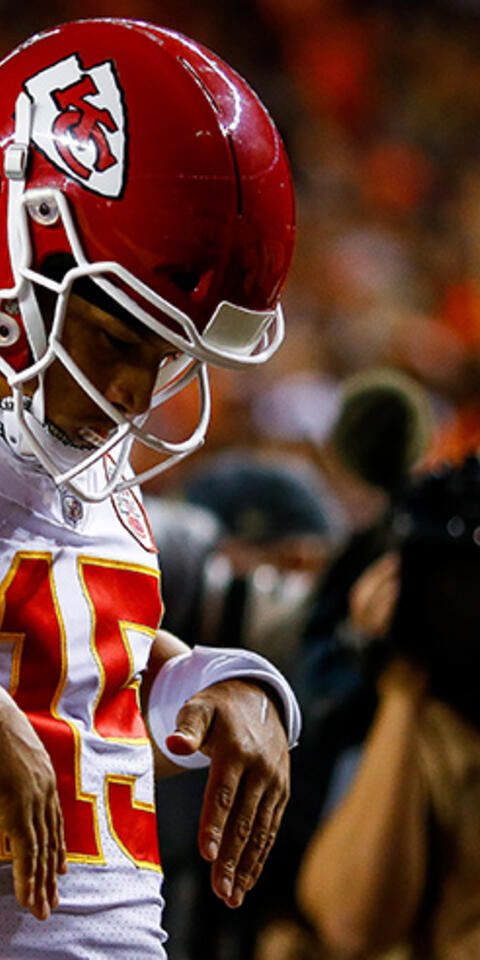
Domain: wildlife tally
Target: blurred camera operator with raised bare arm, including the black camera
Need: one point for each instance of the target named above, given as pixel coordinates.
(396, 865)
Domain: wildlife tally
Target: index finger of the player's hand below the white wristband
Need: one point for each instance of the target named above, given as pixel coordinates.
(219, 800)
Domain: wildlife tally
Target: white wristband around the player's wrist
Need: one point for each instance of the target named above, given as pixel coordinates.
(188, 673)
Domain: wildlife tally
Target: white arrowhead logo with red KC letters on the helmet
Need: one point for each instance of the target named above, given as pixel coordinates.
(79, 122)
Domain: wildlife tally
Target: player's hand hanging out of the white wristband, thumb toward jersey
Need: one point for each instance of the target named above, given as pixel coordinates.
(237, 725)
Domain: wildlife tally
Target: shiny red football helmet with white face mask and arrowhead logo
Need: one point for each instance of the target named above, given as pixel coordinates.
(134, 157)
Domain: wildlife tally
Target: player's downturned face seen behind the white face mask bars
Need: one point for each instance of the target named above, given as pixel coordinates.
(121, 358)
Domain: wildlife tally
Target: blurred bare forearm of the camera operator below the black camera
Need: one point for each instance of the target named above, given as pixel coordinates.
(362, 875)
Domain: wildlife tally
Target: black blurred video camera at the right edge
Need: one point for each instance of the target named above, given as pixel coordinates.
(436, 527)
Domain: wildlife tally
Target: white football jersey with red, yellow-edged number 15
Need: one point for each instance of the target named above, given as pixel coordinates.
(80, 603)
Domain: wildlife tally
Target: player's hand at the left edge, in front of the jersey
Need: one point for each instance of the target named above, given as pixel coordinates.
(30, 811)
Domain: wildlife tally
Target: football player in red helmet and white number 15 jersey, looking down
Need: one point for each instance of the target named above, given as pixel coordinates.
(146, 229)
